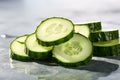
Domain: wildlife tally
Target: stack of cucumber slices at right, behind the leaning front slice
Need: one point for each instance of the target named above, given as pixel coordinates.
(105, 41)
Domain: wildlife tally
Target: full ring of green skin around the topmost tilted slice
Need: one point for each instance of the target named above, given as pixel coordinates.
(59, 41)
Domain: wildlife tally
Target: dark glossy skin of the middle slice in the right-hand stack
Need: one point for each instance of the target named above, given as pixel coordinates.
(104, 36)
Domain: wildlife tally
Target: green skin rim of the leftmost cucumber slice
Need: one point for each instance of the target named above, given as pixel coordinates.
(18, 57)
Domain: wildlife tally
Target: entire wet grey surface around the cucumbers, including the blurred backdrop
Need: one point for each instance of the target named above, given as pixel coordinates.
(18, 17)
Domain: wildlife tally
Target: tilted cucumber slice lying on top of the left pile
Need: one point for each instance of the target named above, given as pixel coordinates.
(55, 30)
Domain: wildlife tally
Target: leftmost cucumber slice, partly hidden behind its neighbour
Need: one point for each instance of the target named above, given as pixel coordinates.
(17, 48)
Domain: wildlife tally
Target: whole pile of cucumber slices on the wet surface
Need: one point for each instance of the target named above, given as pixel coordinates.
(65, 43)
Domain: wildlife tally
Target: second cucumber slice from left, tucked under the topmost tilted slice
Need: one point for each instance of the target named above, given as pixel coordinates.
(35, 50)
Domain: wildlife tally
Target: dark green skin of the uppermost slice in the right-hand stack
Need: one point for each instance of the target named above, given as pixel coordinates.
(94, 26)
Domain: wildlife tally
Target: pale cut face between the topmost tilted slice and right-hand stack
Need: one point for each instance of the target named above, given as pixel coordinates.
(82, 29)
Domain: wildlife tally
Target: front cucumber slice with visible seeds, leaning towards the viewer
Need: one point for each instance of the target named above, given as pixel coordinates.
(77, 51)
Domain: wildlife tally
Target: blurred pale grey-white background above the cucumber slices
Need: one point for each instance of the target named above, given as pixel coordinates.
(22, 16)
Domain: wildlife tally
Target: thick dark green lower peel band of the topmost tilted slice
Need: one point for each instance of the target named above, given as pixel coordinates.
(62, 40)
